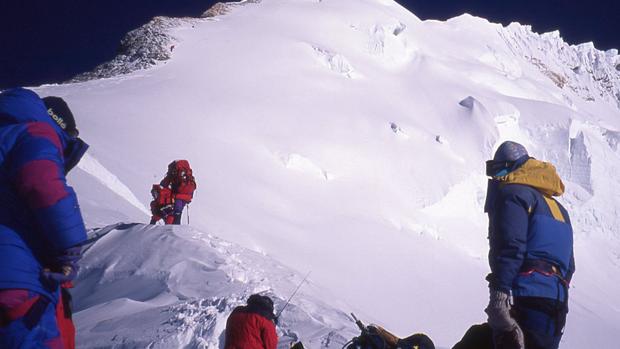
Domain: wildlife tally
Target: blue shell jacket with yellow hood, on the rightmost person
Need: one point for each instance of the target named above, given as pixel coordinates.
(526, 225)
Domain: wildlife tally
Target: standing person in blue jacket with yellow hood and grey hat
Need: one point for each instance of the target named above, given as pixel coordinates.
(531, 251)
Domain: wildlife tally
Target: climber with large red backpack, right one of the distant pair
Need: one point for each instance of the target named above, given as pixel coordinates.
(180, 180)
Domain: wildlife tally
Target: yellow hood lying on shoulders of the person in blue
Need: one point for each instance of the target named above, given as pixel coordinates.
(538, 174)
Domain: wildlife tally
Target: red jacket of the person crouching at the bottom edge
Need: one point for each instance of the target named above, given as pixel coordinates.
(249, 330)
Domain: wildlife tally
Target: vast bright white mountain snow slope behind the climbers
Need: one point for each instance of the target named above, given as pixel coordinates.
(348, 138)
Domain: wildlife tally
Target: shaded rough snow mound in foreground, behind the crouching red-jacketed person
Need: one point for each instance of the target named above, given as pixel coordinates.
(174, 287)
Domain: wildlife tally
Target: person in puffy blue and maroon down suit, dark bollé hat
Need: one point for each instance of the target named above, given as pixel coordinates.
(41, 227)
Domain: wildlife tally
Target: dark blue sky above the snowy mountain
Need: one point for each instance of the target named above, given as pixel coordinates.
(44, 41)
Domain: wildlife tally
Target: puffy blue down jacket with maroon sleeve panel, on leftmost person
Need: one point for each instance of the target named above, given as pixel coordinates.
(39, 213)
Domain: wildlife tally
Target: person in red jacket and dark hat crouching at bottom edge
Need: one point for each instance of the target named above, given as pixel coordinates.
(252, 326)
